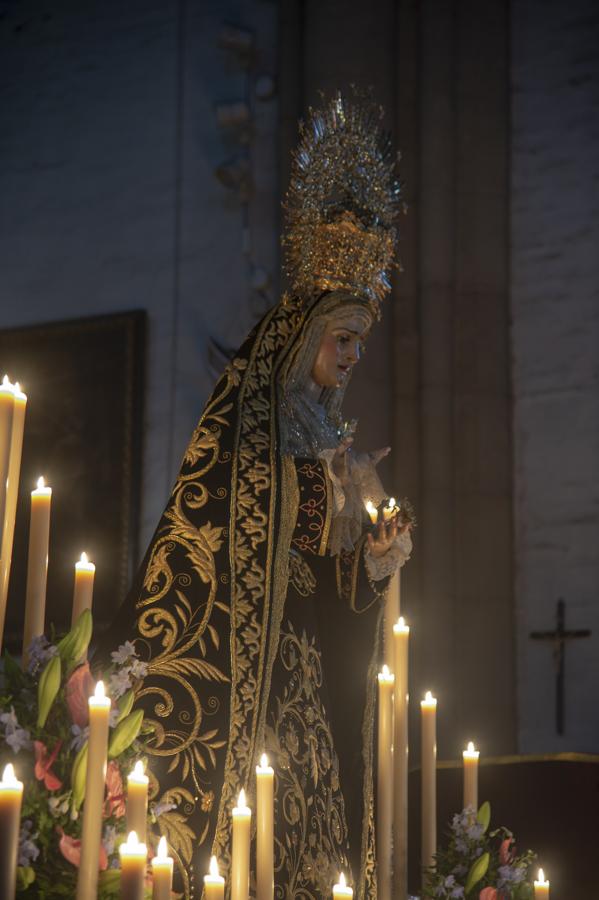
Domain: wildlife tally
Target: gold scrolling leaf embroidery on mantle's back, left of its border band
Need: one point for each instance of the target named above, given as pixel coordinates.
(180, 637)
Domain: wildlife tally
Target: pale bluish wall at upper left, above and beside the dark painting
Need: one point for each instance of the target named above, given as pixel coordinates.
(108, 145)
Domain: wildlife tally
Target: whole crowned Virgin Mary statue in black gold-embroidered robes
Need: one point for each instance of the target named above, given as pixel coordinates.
(258, 605)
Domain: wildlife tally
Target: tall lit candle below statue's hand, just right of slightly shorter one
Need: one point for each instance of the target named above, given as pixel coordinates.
(401, 635)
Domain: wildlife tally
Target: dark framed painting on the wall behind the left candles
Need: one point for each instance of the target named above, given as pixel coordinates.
(84, 381)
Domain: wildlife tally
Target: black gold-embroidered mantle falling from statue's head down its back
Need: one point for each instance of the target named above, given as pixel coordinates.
(208, 600)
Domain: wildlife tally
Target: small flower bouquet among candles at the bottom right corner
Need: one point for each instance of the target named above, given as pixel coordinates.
(479, 864)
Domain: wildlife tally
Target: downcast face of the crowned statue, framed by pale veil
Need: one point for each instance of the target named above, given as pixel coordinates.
(340, 349)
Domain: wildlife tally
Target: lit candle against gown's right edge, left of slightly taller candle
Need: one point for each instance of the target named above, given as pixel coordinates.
(384, 818)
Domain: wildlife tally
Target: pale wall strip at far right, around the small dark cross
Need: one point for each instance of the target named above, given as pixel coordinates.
(555, 340)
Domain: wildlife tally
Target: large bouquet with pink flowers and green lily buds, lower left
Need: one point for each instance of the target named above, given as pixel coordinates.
(43, 732)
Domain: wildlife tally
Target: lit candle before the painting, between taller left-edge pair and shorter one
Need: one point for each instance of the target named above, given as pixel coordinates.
(37, 565)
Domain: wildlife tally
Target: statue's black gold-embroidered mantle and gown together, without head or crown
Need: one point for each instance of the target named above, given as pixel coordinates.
(257, 640)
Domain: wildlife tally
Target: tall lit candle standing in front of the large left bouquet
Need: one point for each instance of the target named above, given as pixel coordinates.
(91, 832)
